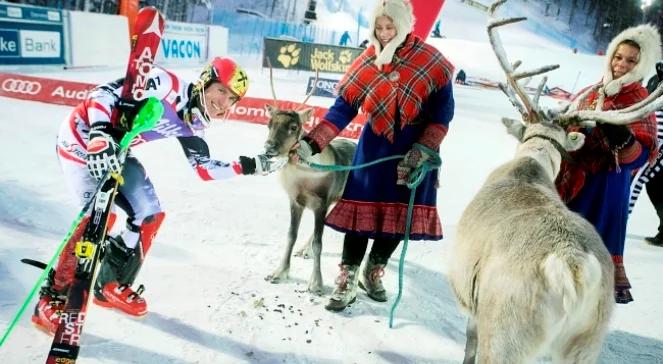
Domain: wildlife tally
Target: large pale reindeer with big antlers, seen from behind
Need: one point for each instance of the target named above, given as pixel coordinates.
(534, 277)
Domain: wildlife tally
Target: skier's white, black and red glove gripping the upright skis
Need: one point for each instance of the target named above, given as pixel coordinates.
(102, 152)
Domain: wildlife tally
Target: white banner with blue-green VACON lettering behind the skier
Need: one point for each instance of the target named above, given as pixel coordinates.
(183, 43)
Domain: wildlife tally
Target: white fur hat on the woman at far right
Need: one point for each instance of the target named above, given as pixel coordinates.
(649, 40)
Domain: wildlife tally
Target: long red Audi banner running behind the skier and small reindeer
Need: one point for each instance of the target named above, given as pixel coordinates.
(248, 109)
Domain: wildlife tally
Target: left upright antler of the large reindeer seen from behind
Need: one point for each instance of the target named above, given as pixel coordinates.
(514, 91)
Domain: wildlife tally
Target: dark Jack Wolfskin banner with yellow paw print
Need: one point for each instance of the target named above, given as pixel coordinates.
(294, 55)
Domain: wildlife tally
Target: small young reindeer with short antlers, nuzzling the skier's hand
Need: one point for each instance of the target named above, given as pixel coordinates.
(306, 187)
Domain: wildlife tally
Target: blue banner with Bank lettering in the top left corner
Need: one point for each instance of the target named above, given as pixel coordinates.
(30, 35)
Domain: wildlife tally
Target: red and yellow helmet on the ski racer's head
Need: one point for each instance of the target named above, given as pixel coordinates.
(226, 72)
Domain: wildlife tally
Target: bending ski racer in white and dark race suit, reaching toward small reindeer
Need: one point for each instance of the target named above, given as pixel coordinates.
(87, 147)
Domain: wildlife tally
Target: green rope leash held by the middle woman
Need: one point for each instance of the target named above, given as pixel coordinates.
(415, 178)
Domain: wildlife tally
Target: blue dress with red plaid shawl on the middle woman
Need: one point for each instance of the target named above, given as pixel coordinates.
(408, 101)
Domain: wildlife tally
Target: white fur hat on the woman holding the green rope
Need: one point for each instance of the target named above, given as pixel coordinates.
(400, 12)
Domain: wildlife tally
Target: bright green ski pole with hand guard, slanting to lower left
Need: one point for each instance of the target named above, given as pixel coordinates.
(145, 120)
